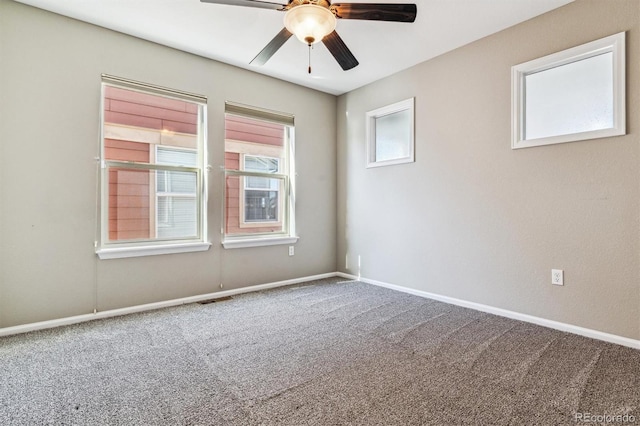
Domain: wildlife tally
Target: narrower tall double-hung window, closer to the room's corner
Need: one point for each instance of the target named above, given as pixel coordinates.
(259, 202)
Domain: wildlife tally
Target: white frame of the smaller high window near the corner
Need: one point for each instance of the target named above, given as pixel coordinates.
(373, 116)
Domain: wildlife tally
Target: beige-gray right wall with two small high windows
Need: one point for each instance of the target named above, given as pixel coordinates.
(473, 219)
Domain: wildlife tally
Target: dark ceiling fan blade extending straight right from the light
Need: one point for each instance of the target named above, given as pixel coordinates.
(395, 12)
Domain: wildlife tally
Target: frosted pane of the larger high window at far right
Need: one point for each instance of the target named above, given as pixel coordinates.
(572, 98)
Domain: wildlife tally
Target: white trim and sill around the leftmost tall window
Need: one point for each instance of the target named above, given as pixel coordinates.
(115, 250)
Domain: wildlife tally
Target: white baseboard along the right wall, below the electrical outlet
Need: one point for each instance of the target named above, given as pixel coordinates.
(594, 334)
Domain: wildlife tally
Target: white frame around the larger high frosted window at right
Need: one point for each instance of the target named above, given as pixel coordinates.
(614, 44)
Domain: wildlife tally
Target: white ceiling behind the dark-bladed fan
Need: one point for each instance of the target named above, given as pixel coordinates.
(235, 34)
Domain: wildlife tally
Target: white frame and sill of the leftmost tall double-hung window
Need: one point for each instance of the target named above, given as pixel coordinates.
(106, 249)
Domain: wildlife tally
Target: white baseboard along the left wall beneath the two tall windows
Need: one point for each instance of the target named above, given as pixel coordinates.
(18, 329)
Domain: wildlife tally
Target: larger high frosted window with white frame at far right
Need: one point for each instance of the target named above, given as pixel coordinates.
(572, 95)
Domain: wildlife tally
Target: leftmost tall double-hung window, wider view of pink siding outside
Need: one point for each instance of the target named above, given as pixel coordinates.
(153, 189)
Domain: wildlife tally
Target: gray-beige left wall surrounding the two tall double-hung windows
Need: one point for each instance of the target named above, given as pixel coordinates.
(50, 69)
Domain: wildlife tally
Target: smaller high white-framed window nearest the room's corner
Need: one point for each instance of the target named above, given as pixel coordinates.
(390, 134)
